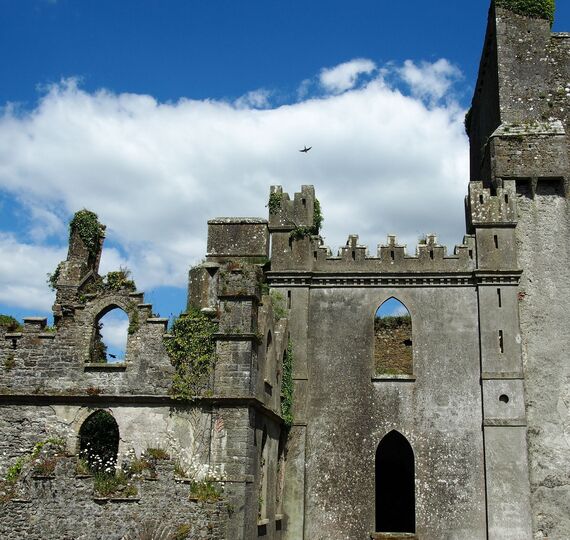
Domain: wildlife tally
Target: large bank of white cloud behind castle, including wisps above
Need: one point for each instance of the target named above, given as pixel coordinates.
(385, 160)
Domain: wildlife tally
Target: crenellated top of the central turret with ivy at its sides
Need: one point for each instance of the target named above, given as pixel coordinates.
(286, 214)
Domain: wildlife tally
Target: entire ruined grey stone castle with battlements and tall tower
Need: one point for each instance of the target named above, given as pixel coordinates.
(262, 413)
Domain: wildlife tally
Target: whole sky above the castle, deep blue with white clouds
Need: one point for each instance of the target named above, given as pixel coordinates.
(159, 115)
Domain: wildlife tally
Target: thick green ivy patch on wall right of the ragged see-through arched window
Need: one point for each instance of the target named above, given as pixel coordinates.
(192, 351)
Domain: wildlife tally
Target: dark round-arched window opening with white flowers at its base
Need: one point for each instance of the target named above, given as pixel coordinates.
(99, 442)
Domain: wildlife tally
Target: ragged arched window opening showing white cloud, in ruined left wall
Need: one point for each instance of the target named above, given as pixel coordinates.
(109, 343)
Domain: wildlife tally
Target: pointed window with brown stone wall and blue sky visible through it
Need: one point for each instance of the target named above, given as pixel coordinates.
(393, 339)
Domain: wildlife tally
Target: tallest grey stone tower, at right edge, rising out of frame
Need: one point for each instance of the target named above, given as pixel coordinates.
(518, 130)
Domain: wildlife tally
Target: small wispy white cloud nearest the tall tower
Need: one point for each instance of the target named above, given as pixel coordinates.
(430, 81)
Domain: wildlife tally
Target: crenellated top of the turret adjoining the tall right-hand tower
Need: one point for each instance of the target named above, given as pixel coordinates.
(487, 209)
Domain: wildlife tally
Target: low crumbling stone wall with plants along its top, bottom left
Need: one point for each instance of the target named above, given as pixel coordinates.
(64, 507)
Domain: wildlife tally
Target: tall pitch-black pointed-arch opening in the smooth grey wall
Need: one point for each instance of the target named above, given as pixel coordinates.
(395, 490)
